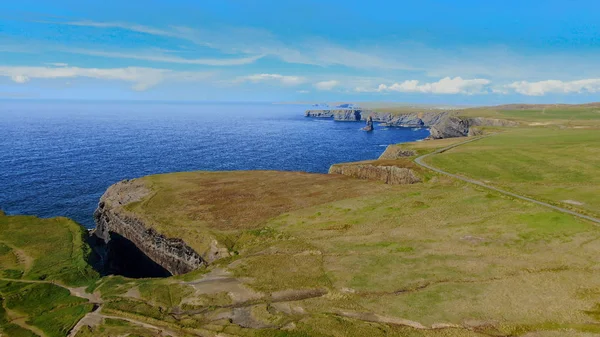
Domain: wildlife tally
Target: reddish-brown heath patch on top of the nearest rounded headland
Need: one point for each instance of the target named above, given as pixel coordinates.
(191, 205)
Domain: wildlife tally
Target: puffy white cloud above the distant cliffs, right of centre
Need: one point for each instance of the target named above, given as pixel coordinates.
(447, 85)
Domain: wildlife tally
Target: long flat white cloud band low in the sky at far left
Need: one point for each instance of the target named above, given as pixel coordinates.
(141, 78)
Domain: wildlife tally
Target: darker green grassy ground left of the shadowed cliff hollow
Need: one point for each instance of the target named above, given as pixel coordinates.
(35, 253)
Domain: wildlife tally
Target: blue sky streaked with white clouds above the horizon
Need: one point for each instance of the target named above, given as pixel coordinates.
(450, 52)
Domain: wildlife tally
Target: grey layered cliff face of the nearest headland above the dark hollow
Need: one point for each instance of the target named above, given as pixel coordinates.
(111, 217)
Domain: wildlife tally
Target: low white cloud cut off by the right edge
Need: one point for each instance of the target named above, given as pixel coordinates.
(541, 88)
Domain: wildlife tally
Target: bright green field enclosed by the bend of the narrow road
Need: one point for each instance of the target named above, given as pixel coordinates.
(560, 166)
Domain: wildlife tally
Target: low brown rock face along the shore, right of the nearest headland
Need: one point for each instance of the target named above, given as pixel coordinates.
(389, 174)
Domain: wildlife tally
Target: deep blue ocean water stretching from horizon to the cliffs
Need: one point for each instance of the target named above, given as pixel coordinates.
(57, 158)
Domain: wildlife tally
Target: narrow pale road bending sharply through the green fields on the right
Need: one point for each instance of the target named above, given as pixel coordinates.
(420, 162)
